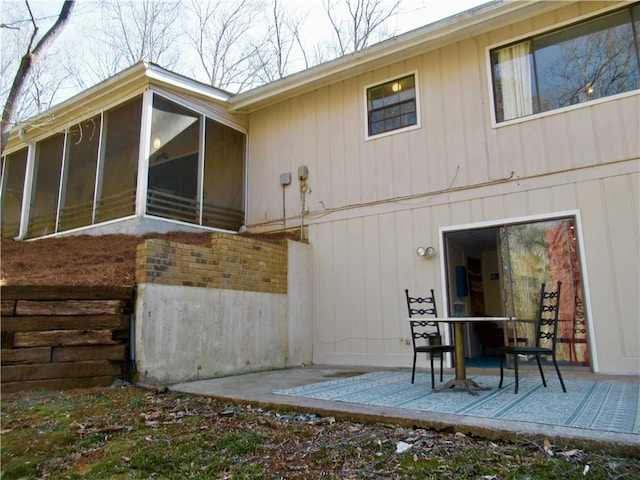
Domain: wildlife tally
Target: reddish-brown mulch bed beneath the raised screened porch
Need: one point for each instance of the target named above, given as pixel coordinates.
(107, 260)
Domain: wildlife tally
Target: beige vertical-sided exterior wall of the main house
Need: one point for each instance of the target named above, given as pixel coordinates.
(373, 202)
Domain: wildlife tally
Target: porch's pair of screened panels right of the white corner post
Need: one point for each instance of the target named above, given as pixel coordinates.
(178, 150)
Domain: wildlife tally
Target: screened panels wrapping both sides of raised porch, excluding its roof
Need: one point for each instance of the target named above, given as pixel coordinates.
(89, 173)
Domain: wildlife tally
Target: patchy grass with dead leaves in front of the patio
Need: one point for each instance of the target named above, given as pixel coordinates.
(129, 433)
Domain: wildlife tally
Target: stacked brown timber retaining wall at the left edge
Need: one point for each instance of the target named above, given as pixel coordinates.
(62, 337)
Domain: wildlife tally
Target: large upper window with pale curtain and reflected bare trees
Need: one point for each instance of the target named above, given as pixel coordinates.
(589, 60)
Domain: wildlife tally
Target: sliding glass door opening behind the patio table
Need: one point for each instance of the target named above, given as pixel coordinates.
(497, 271)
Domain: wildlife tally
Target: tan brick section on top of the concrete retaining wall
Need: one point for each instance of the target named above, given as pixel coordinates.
(233, 262)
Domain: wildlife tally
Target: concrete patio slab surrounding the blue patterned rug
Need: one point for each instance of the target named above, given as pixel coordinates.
(259, 389)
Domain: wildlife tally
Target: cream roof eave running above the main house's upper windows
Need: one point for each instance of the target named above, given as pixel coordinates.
(473, 22)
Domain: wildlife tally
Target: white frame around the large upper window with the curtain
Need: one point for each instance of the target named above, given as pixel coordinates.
(529, 37)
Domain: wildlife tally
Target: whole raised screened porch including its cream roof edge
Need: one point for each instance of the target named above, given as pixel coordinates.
(145, 151)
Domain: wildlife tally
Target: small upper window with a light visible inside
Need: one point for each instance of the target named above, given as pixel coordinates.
(392, 106)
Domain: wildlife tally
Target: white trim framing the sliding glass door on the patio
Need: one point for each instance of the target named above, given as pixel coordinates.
(442, 231)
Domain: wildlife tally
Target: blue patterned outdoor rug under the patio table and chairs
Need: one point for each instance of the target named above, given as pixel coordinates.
(604, 406)
